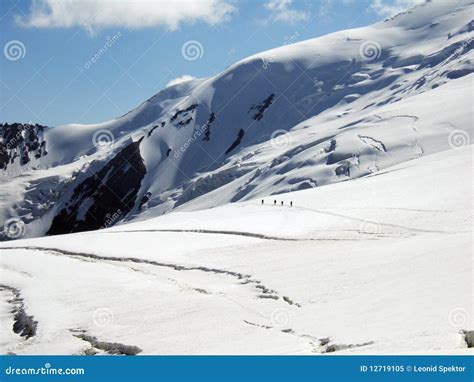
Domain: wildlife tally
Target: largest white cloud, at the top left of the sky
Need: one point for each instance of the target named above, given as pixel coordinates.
(96, 14)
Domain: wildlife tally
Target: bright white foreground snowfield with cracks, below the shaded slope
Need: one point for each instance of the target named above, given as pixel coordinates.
(380, 264)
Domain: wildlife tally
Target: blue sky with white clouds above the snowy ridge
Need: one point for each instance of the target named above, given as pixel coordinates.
(48, 74)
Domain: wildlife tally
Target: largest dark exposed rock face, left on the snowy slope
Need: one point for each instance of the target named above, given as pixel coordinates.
(111, 189)
